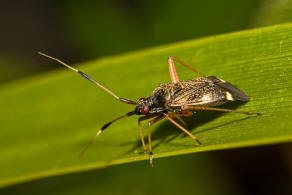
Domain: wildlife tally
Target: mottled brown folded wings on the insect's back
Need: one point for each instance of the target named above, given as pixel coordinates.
(205, 91)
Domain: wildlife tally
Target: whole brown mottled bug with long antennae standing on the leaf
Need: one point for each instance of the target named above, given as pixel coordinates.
(171, 101)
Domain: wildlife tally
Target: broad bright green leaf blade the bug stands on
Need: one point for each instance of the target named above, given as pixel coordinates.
(47, 120)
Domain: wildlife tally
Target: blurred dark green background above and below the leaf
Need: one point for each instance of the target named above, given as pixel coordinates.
(79, 31)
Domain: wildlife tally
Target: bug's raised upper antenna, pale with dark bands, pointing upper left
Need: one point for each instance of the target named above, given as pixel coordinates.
(90, 79)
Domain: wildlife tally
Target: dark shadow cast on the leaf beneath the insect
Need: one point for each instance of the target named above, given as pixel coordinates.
(166, 131)
